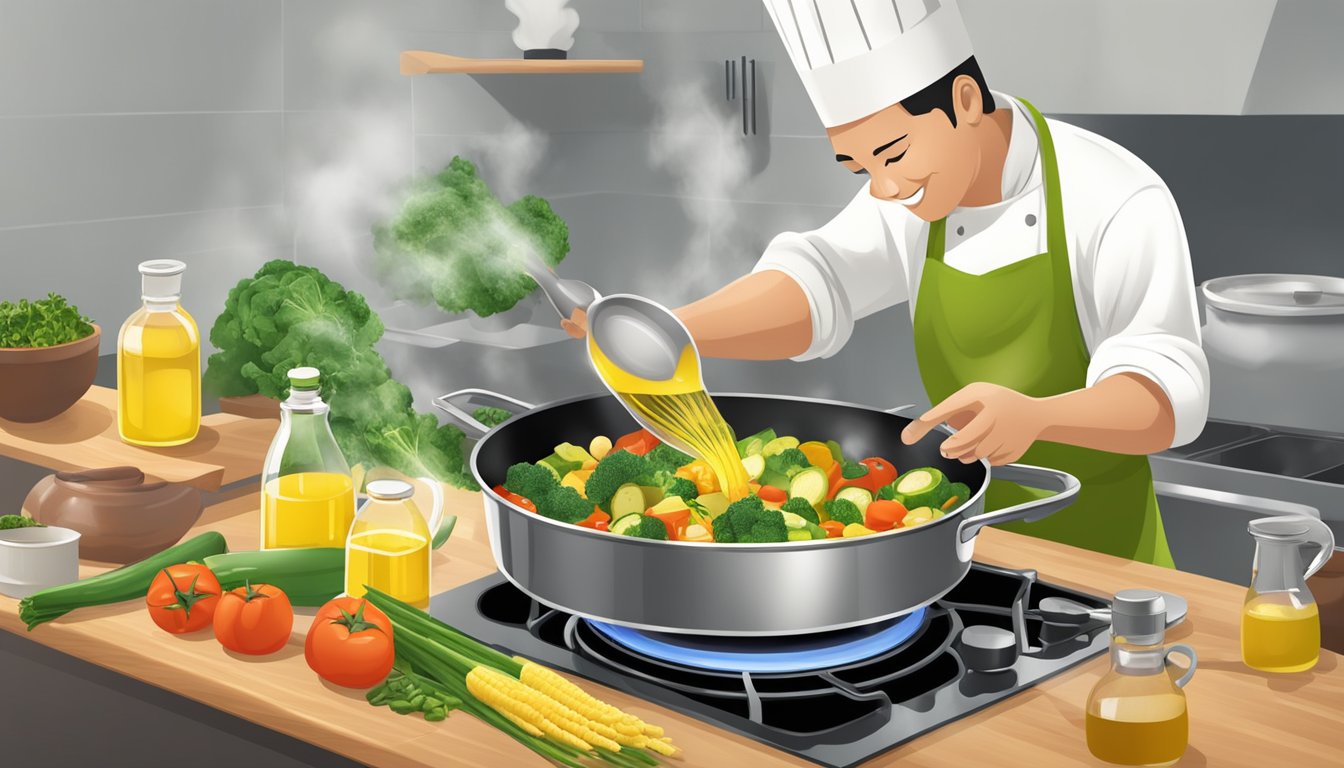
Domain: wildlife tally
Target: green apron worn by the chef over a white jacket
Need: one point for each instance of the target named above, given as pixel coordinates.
(1018, 328)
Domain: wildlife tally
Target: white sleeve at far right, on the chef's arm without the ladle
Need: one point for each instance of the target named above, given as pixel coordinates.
(1148, 321)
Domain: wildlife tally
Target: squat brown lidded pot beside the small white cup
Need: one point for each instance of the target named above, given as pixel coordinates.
(119, 516)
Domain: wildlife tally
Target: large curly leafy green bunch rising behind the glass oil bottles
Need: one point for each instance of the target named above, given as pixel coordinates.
(287, 317)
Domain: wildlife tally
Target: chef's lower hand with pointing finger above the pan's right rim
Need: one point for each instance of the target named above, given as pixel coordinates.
(993, 423)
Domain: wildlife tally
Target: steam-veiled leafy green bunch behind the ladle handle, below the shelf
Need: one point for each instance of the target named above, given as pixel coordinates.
(454, 244)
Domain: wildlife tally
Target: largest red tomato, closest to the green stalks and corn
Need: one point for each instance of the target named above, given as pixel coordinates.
(350, 644)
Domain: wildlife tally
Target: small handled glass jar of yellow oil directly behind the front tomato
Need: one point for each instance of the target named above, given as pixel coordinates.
(390, 541)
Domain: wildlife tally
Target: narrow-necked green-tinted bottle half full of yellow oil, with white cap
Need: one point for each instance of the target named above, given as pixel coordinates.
(307, 494)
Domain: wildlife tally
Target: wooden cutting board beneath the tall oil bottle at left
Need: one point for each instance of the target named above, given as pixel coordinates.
(229, 449)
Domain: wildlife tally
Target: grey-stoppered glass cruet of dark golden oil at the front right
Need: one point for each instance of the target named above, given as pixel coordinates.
(1136, 714)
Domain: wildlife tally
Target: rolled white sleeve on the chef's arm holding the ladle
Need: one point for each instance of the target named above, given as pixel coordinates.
(849, 270)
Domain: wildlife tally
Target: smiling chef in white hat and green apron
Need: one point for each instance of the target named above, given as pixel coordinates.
(1046, 268)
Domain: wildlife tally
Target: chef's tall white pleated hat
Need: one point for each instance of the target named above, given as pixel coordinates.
(859, 57)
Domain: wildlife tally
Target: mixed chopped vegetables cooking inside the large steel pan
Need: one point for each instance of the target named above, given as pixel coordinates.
(800, 492)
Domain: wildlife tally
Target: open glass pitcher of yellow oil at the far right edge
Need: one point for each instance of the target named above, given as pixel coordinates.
(1282, 626)
